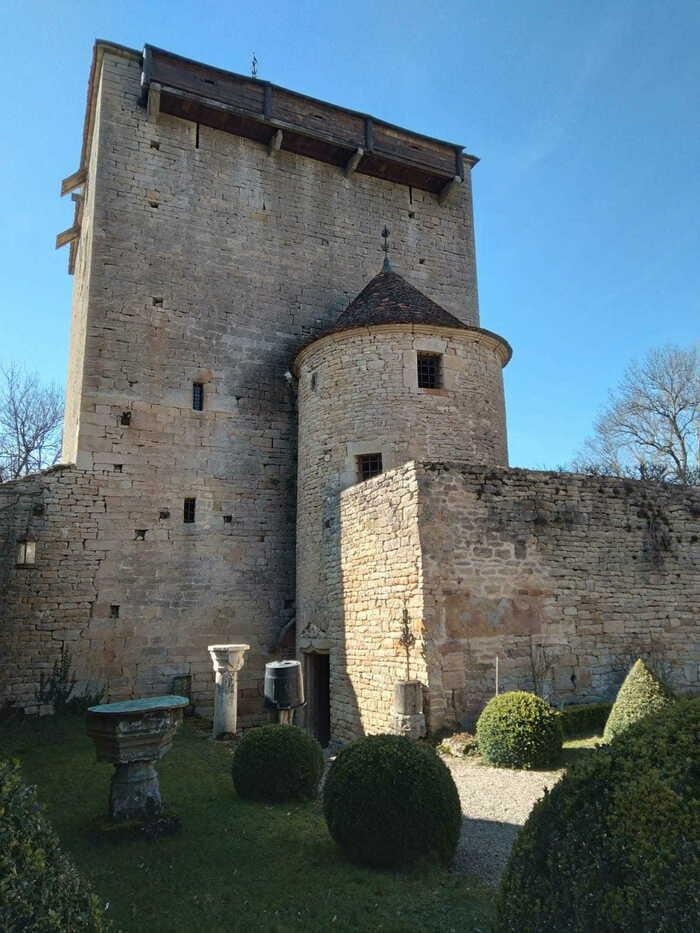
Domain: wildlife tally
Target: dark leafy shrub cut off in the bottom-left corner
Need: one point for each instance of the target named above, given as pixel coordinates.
(40, 888)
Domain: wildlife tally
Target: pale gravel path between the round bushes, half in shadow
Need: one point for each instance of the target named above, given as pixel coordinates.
(495, 803)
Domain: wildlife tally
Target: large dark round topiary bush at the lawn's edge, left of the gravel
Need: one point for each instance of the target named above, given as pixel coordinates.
(388, 801)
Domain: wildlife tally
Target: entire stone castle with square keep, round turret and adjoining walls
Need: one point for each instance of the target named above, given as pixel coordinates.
(238, 364)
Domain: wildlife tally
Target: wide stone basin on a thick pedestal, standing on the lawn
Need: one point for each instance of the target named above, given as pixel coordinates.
(133, 735)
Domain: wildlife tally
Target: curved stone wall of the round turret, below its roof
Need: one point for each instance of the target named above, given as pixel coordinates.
(358, 394)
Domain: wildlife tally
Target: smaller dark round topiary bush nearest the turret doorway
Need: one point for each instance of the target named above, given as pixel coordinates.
(277, 762)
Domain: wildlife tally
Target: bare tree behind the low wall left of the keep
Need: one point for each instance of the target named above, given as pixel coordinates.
(31, 416)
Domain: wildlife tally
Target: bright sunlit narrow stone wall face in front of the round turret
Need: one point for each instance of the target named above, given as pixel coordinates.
(374, 571)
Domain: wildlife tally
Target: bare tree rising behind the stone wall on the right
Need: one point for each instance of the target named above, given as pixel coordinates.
(650, 427)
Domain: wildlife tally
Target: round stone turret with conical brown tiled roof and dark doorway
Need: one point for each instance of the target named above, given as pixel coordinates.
(397, 378)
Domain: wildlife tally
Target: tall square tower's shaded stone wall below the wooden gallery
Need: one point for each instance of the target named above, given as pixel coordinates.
(201, 259)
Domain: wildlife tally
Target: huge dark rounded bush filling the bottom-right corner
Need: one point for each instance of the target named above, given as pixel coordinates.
(614, 845)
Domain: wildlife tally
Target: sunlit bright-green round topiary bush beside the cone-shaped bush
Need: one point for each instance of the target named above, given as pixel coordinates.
(519, 730)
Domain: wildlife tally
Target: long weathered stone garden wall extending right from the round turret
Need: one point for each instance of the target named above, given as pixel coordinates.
(566, 578)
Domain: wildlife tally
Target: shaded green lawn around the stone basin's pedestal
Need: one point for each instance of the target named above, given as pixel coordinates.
(235, 865)
